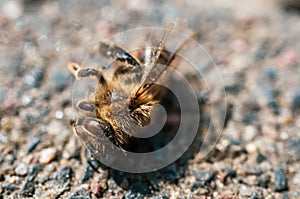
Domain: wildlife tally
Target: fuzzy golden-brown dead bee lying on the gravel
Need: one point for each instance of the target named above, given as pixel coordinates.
(127, 97)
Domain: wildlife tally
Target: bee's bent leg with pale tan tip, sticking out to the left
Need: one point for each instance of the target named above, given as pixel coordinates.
(85, 72)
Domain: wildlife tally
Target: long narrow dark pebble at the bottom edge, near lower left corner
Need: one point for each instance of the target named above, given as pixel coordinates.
(28, 186)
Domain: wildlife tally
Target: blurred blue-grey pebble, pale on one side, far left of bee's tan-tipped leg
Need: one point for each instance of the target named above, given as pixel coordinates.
(34, 78)
